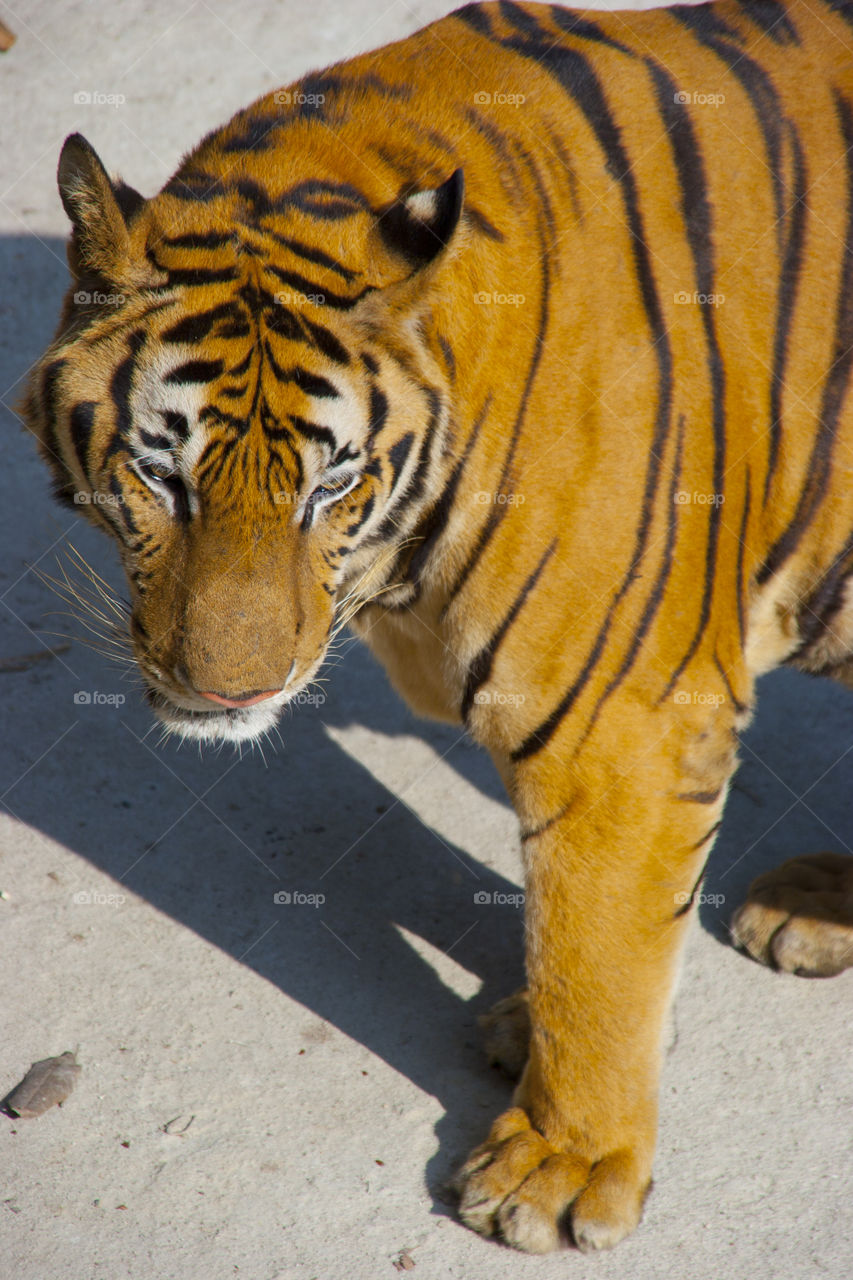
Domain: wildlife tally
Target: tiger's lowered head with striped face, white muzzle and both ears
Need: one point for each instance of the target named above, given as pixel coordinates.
(241, 395)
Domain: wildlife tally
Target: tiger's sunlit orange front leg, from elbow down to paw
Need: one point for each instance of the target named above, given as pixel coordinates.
(610, 880)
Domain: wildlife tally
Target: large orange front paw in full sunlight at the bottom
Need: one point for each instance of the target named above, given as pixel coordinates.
(522, 1190)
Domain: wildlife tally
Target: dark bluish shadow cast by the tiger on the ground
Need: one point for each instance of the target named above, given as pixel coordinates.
(318, 822)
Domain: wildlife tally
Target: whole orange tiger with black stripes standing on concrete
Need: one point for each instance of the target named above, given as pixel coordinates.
(523, 344)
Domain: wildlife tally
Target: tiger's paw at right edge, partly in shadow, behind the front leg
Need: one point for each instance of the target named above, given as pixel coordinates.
(800, 917)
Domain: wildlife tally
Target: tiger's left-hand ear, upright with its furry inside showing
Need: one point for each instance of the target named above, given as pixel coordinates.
(99, 211)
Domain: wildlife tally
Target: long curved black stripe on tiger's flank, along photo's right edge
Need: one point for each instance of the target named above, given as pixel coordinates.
(818, 472)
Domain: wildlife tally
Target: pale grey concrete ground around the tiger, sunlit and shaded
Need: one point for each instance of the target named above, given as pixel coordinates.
(277, 1091)
